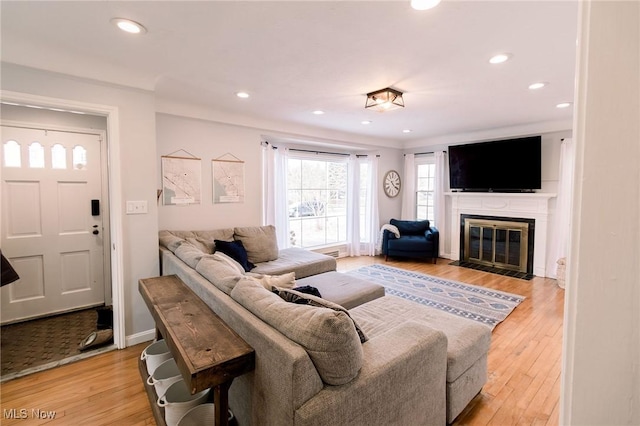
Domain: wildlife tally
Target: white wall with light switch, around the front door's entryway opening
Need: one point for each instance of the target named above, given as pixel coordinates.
(137, 166)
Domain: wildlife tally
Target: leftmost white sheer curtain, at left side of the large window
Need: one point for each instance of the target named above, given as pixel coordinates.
(275, 210)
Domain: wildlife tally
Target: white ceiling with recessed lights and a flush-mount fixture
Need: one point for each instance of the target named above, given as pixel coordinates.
(294, 57)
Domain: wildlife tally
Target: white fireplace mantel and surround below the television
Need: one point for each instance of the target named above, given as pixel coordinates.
(513, 205)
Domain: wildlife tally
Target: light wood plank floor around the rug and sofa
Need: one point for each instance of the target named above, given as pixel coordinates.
(524, 366)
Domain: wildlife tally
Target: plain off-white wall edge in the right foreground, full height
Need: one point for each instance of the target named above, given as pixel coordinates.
(601, 357)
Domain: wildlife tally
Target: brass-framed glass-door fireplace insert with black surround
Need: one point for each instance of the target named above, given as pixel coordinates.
(498, 242)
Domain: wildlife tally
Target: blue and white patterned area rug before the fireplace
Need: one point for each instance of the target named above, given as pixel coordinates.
(480, 304)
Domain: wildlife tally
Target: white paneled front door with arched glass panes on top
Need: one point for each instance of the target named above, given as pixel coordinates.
(52, 225)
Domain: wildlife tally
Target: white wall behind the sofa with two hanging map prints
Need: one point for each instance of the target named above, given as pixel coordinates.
(209, 140)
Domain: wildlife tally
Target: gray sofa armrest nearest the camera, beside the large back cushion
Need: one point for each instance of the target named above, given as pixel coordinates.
(402, 381)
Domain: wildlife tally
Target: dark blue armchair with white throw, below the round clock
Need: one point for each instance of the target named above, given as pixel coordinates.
(417, 240)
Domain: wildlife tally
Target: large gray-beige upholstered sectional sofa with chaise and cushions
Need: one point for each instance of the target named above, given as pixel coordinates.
(354, 357)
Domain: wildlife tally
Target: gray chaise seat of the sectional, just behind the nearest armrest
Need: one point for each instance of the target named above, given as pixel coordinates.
(467, 343)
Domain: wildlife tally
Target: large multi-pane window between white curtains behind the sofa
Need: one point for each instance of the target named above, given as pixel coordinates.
(317, 201)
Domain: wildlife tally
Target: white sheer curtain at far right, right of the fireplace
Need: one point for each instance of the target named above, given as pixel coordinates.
(562, 217)
